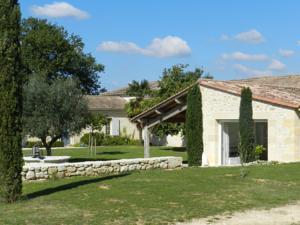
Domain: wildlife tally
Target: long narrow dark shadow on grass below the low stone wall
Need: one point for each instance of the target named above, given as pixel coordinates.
(65, 187)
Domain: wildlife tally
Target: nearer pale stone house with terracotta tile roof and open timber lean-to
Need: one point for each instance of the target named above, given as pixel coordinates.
(276, 103)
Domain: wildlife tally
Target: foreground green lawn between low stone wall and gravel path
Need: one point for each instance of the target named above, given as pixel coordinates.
(153, 197)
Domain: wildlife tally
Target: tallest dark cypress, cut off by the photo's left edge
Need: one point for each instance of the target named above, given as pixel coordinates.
(11, 160)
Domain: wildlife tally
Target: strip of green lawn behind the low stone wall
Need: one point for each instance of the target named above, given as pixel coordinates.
(116, 152)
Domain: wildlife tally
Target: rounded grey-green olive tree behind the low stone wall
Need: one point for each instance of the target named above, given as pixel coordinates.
(54, 111)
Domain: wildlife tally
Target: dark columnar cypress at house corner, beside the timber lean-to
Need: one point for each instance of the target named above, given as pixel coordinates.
(194, 126)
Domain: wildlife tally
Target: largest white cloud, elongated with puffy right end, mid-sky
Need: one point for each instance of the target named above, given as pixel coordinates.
(159, 47)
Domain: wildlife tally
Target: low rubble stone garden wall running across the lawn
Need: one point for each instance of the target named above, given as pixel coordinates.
(42, 171)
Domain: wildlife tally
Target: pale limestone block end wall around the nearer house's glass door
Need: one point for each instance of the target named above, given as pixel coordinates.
(283, 125)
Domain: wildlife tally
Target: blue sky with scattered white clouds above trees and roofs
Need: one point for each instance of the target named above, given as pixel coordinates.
(137, 39)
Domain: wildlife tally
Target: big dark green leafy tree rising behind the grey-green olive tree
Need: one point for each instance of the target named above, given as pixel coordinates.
(48, 50)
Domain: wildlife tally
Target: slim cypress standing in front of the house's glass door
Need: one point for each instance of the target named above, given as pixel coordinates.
(246, 127)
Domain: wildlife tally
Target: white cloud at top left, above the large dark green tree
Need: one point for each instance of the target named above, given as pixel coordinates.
(59, 10)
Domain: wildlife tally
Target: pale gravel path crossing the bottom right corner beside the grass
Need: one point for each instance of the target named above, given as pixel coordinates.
(284, 215)
